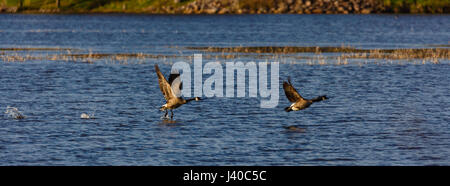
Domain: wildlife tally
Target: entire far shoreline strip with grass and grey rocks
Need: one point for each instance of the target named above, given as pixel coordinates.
(225, 6)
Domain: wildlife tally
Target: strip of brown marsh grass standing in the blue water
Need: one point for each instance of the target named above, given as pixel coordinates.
(343, 55)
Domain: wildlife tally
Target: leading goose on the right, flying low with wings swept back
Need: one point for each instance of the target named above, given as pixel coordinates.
(298, 102)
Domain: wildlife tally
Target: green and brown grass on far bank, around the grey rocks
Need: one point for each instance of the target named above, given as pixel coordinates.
(167, 6)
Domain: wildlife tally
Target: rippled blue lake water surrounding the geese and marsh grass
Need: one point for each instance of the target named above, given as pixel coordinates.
(378, 114)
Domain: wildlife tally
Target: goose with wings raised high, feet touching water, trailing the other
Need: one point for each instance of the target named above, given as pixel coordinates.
(172, 92)
